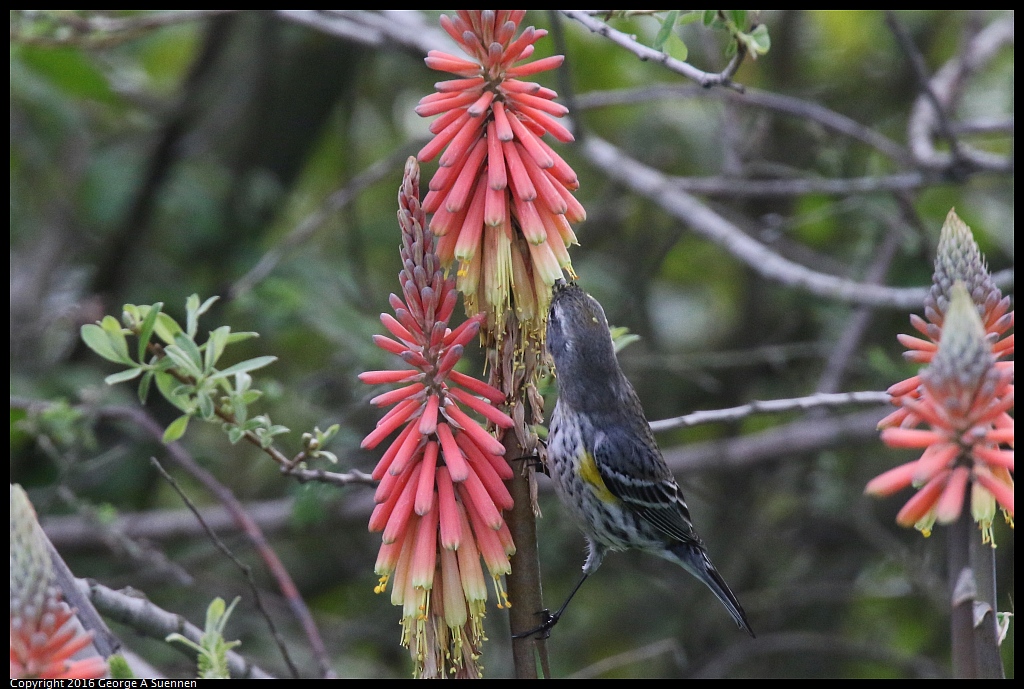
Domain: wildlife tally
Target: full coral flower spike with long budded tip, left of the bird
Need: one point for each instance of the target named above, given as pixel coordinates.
(441, 495)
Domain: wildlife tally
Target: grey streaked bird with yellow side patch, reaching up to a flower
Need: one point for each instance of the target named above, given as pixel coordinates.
(604, 460)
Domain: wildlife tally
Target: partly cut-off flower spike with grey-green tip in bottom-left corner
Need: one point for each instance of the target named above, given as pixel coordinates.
(45, 633)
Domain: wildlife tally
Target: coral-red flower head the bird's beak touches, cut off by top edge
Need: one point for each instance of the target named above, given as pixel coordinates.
(501, 199)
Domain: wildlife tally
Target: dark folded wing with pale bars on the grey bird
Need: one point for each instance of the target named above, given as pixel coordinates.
(634, 471)
